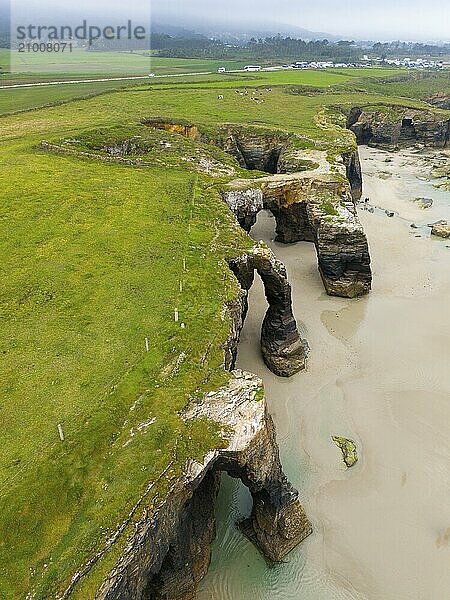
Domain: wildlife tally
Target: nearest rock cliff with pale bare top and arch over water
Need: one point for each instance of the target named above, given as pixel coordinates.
(169, 551)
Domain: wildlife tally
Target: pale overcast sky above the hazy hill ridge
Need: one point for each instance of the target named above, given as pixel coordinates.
(362, 19)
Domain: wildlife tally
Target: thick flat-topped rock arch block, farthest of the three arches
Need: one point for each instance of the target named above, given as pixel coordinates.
(319, 206)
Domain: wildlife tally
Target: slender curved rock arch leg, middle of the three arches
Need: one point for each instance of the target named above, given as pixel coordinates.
(283, 350)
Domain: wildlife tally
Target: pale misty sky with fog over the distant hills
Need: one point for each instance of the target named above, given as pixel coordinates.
(234, 20)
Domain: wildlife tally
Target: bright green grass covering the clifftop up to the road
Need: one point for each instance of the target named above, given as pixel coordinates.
(95, 258)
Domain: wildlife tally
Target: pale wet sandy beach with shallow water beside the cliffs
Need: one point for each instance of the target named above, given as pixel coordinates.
(379, 373)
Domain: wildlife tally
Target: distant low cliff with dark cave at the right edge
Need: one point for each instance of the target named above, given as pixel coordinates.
(397, 126)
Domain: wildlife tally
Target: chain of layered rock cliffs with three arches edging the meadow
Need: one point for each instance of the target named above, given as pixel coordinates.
(312, 195)
